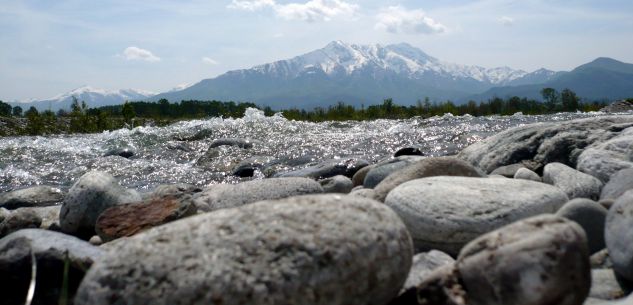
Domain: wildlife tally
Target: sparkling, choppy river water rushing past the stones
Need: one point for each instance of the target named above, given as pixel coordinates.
(161, 157)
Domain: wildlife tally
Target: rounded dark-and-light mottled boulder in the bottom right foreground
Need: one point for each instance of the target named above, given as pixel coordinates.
(540, 260)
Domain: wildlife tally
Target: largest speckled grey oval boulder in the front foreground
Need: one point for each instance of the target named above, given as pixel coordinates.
(327, 249)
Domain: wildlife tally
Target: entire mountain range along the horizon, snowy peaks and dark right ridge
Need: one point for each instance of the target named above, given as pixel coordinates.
(366, 74)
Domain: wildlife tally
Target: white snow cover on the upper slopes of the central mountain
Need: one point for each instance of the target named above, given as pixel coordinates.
(341, 58)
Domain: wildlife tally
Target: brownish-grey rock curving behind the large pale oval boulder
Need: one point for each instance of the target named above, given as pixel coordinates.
(440, 166)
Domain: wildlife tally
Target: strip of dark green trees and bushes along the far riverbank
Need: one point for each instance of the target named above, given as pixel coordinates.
(82, 119)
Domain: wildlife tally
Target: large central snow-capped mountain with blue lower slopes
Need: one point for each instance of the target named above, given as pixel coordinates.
(356, 74)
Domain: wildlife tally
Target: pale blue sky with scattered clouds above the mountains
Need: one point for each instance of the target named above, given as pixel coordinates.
(52, 47)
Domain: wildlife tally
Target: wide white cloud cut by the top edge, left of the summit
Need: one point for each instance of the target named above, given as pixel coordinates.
(311, 11)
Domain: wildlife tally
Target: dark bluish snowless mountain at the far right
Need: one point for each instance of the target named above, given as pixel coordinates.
(603, 78)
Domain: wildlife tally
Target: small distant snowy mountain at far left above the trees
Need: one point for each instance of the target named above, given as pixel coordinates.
(93, 97)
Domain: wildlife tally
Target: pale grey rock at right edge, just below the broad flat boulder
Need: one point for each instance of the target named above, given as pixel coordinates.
(604, 159)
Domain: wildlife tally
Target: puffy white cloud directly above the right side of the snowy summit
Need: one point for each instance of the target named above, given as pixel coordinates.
(396, 19)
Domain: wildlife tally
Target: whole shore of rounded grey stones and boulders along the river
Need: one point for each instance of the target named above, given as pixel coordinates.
(539, 214)
